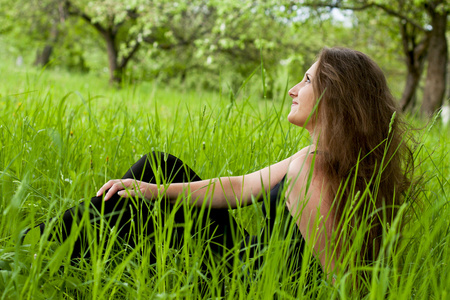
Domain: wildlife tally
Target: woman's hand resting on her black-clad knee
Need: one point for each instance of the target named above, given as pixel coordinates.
(126, 188)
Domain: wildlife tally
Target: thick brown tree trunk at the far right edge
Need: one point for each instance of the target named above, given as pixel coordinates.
(437, 63)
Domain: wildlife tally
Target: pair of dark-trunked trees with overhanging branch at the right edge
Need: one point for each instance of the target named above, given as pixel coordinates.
(422, 25)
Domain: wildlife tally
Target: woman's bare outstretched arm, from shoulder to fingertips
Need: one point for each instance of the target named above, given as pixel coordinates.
(223, 192)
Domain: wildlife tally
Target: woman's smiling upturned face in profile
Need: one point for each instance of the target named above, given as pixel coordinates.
(303, 101)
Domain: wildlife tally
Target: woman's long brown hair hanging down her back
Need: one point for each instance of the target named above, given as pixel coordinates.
(362, 138)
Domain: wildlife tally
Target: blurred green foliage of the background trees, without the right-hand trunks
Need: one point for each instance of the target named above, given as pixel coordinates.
(200, 44)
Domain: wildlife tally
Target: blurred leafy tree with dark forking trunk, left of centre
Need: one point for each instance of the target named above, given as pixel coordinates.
(126, 26)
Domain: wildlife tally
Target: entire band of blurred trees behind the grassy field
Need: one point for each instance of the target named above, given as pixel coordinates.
(215, 44)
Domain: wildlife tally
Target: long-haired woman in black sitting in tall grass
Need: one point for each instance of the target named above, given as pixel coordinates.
(346, 106)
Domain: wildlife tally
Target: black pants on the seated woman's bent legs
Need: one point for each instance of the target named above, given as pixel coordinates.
(131, 216)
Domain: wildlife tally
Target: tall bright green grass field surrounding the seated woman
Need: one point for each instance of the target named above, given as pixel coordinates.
(62, 136)
